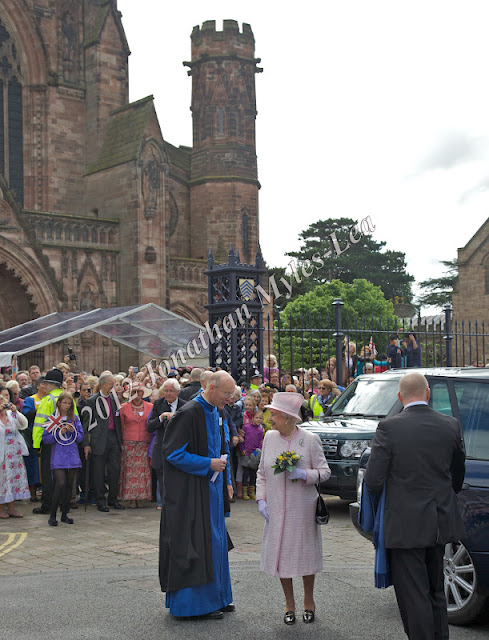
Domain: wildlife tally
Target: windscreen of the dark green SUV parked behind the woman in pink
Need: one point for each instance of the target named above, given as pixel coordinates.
(366, 396)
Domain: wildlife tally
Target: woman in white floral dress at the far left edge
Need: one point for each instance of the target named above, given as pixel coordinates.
(13, 476)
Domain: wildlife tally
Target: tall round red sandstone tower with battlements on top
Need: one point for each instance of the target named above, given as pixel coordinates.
(223, 178)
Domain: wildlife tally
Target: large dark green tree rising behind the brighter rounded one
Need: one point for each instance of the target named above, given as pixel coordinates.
(346, 256)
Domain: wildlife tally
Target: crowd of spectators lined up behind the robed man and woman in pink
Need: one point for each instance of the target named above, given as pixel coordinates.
(112, 436)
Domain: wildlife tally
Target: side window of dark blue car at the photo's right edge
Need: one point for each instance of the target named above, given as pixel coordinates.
(473, 403)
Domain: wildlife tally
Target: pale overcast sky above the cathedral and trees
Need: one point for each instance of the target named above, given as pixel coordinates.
(364, 108)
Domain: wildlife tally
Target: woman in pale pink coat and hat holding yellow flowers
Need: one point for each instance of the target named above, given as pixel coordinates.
(291, 544)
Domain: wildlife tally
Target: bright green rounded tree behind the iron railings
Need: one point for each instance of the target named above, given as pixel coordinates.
(308, 322)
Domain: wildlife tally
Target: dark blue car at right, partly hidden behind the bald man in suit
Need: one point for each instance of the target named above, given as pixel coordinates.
(465, 395)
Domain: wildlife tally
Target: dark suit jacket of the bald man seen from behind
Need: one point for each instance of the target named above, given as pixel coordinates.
(420, 455)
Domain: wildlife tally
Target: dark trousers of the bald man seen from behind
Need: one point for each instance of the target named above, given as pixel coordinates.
(417, 575)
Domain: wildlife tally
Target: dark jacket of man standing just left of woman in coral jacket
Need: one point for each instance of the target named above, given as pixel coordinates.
(96, 437)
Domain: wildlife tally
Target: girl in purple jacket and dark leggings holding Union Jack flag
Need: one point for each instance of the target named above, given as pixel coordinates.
(65, 459)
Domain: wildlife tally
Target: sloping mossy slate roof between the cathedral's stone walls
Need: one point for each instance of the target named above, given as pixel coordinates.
(124, 134)
